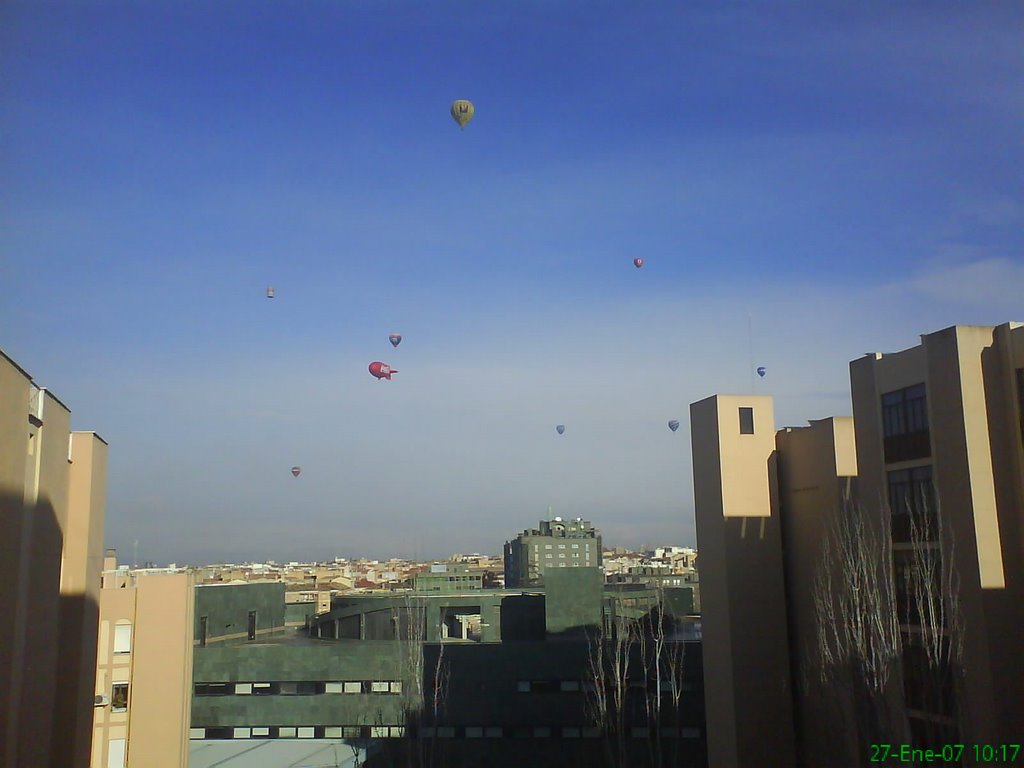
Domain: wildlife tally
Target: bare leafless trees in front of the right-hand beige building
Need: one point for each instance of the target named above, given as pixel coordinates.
(889, 622)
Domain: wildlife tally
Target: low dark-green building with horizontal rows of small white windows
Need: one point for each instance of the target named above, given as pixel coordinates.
(382, 674)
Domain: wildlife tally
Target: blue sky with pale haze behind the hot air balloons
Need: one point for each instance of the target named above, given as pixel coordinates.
(837, 179)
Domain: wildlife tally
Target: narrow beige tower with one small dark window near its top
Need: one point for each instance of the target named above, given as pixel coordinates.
(746, 649)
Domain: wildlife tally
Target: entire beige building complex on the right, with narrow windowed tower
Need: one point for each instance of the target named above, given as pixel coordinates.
(936, 445)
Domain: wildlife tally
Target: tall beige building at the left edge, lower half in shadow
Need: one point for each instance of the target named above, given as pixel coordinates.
(53, 492)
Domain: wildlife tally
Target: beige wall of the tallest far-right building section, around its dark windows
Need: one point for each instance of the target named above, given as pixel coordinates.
(976, 457)
